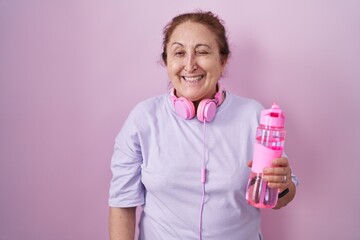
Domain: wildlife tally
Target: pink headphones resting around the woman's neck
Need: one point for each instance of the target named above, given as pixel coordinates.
(206, 110)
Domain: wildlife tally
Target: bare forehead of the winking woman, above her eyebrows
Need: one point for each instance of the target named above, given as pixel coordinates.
(190, 33)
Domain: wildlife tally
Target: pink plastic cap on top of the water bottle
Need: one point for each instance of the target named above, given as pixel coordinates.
(273, 117)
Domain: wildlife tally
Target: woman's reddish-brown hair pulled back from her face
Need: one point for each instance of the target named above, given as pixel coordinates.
(208, 19)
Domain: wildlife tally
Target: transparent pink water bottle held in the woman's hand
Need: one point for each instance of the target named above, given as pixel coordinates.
(269, 144)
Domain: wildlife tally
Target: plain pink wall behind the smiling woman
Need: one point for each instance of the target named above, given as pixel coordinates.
(70, 71)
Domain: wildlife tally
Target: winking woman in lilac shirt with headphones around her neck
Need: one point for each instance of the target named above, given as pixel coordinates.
(184, 156)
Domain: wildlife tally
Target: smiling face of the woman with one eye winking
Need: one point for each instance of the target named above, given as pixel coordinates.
(193, 61)
